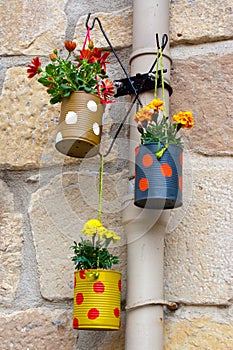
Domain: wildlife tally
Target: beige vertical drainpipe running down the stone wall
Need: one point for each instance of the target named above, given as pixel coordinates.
(145, 229)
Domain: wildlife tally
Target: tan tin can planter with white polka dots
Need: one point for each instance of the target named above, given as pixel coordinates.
(80, 125)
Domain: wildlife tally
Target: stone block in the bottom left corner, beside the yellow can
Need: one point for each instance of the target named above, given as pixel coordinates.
(40, 328)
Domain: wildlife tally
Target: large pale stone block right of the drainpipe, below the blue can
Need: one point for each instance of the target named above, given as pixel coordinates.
(198, 254)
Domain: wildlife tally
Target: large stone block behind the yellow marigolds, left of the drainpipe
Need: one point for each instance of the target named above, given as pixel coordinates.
(57, 213)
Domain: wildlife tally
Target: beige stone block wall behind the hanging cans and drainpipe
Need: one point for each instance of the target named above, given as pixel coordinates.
(46, 197)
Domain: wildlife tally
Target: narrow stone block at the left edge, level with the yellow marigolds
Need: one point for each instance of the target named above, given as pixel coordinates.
(11, 242)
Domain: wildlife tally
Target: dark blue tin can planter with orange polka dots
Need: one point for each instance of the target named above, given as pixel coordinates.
(158, 183)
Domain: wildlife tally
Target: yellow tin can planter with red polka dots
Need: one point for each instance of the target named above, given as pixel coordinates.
(97, 299)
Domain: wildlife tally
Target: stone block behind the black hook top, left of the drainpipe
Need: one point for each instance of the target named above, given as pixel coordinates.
(119, 34)
